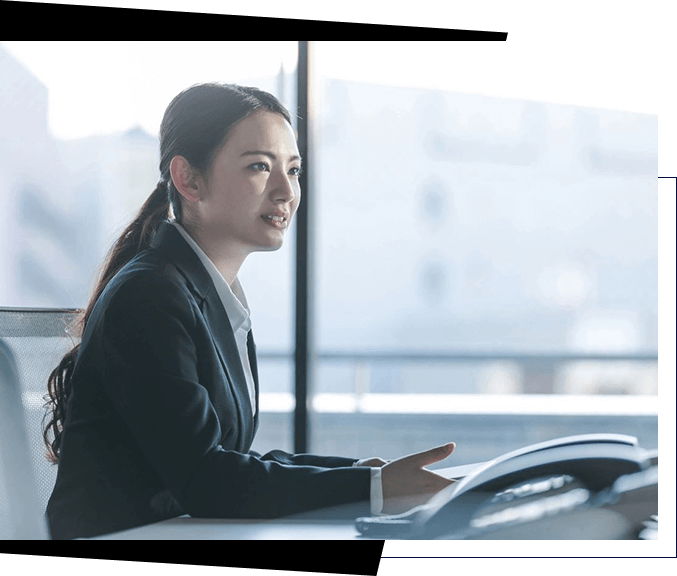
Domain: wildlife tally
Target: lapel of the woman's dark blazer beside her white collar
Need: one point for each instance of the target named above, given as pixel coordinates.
(171, 243)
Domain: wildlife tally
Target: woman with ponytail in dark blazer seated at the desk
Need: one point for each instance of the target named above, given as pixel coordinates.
(154, 412)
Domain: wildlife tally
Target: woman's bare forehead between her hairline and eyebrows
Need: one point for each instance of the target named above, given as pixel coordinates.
(263, 130)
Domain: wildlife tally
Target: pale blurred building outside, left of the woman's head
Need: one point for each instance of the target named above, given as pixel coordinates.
(62, 199)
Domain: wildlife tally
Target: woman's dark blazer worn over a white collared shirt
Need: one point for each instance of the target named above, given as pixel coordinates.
(159, 419)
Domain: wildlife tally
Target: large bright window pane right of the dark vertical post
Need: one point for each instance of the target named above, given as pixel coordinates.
(487, 220)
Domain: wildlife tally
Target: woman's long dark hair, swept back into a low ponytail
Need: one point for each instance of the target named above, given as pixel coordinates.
(195, 125)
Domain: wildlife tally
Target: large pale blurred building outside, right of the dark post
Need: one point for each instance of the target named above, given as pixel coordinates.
(466, 222)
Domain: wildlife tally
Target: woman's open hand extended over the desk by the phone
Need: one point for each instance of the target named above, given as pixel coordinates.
(406, 483)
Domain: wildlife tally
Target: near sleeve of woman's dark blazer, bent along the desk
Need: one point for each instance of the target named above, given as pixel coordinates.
(150, 357)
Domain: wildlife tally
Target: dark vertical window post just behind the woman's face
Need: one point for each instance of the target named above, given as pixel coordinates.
(303, 353)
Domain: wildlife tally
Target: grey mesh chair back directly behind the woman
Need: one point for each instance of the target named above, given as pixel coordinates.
(37, 339)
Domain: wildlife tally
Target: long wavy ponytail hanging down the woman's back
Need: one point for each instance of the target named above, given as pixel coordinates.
(136, 237)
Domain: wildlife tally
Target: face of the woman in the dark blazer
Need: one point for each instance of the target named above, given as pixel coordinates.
(252, 190)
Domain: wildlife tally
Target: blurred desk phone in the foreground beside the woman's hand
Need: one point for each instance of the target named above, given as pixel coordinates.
(591, 486)
